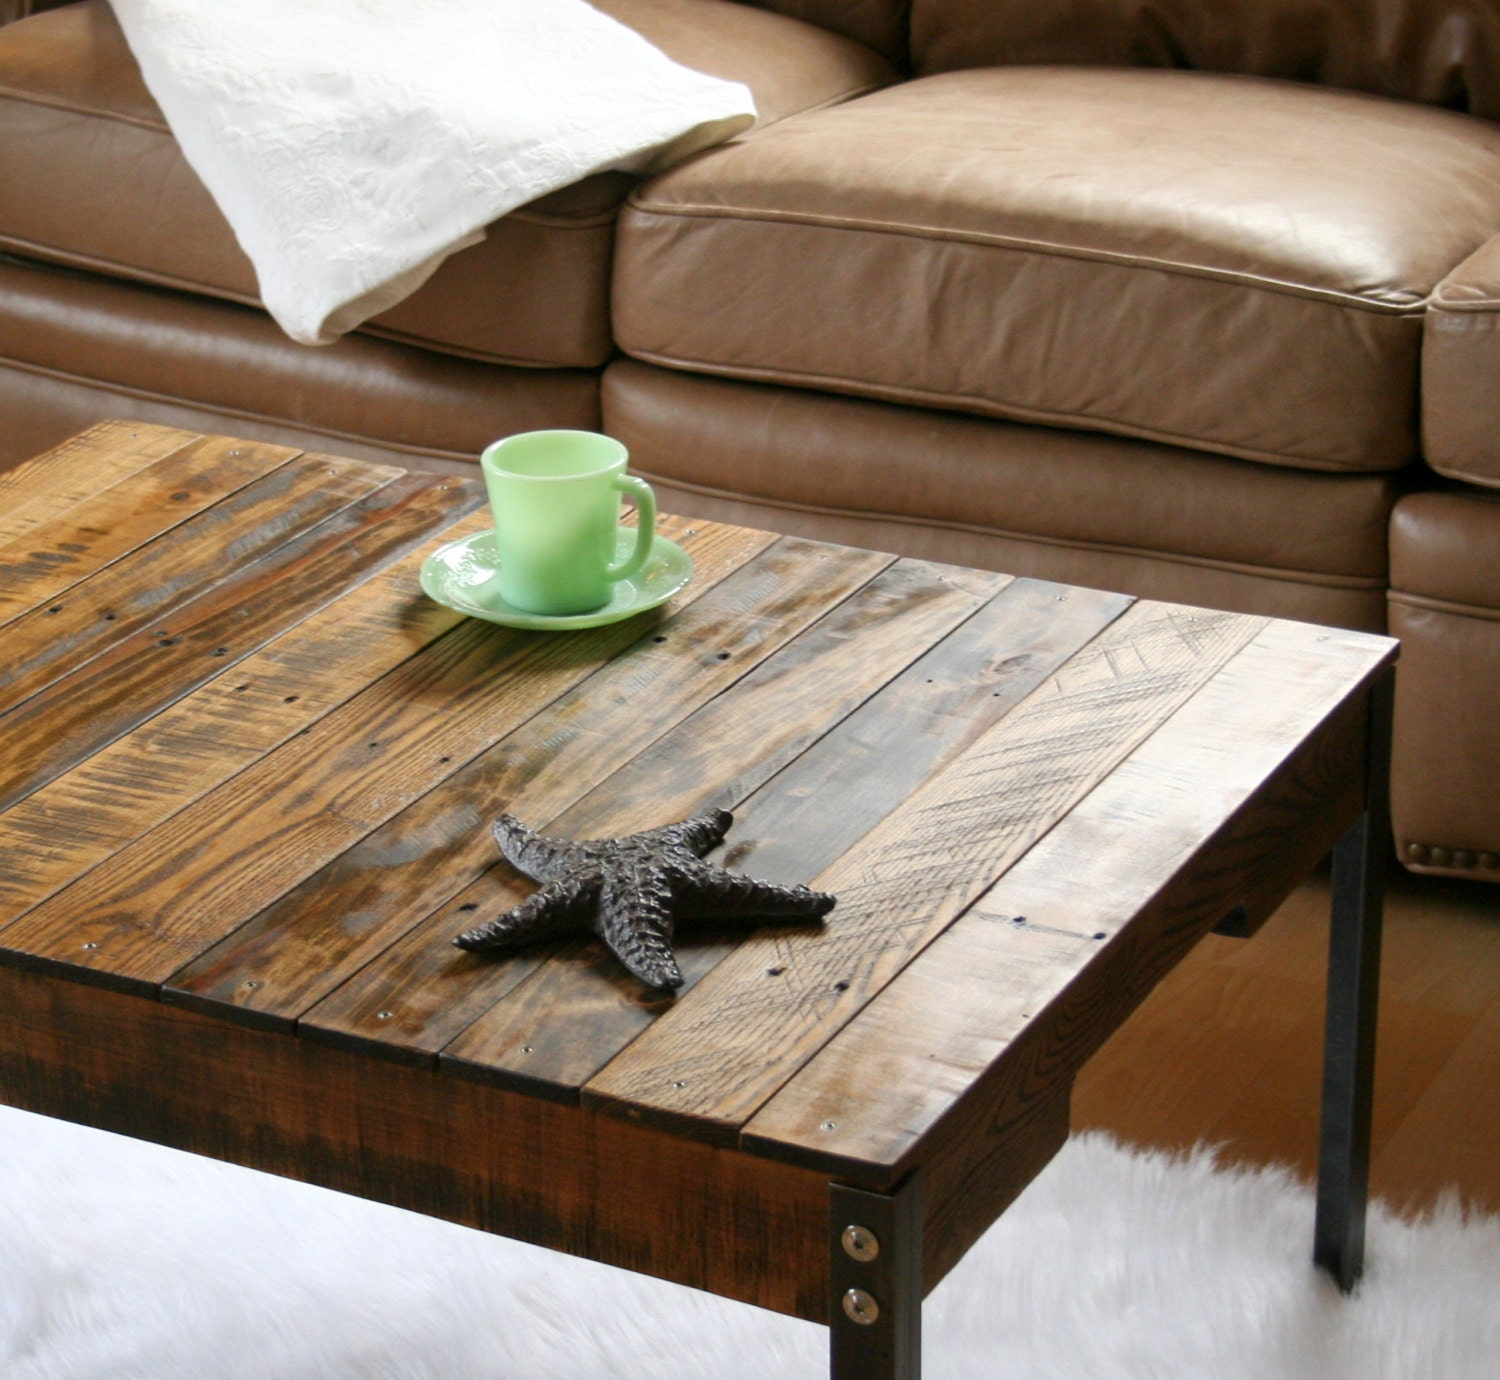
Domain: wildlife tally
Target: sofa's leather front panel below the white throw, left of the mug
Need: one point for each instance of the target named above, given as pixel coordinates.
(88, 341)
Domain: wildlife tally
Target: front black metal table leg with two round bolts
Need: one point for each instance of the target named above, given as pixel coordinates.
(875, 1276)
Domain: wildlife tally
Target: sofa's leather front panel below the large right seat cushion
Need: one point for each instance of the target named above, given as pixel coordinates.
(1232, 535)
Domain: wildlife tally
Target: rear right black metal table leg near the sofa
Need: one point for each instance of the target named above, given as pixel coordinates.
(1354, 979)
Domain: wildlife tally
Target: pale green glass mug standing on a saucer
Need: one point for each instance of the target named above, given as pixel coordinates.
(556, 499)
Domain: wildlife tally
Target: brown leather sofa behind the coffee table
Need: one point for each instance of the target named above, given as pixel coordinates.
(1198, 299)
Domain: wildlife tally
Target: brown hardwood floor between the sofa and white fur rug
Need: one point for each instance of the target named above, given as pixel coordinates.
(1229, 1048)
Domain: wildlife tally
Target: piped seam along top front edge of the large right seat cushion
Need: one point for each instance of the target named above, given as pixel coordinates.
(1411, 307)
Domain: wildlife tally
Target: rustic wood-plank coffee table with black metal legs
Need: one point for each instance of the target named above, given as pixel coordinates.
(245, 784)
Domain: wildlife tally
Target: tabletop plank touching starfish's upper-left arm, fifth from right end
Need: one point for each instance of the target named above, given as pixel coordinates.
(322, 932)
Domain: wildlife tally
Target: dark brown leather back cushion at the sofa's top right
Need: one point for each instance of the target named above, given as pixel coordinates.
(1436, 52)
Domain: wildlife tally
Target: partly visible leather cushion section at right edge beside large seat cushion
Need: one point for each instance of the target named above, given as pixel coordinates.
(1462, 371)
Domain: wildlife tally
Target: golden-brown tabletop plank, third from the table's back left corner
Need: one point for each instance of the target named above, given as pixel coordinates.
(59, 638)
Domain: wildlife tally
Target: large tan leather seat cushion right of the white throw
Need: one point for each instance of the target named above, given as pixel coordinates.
(1225, 263)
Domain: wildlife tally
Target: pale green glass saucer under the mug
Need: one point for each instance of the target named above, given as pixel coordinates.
(464, 577)
